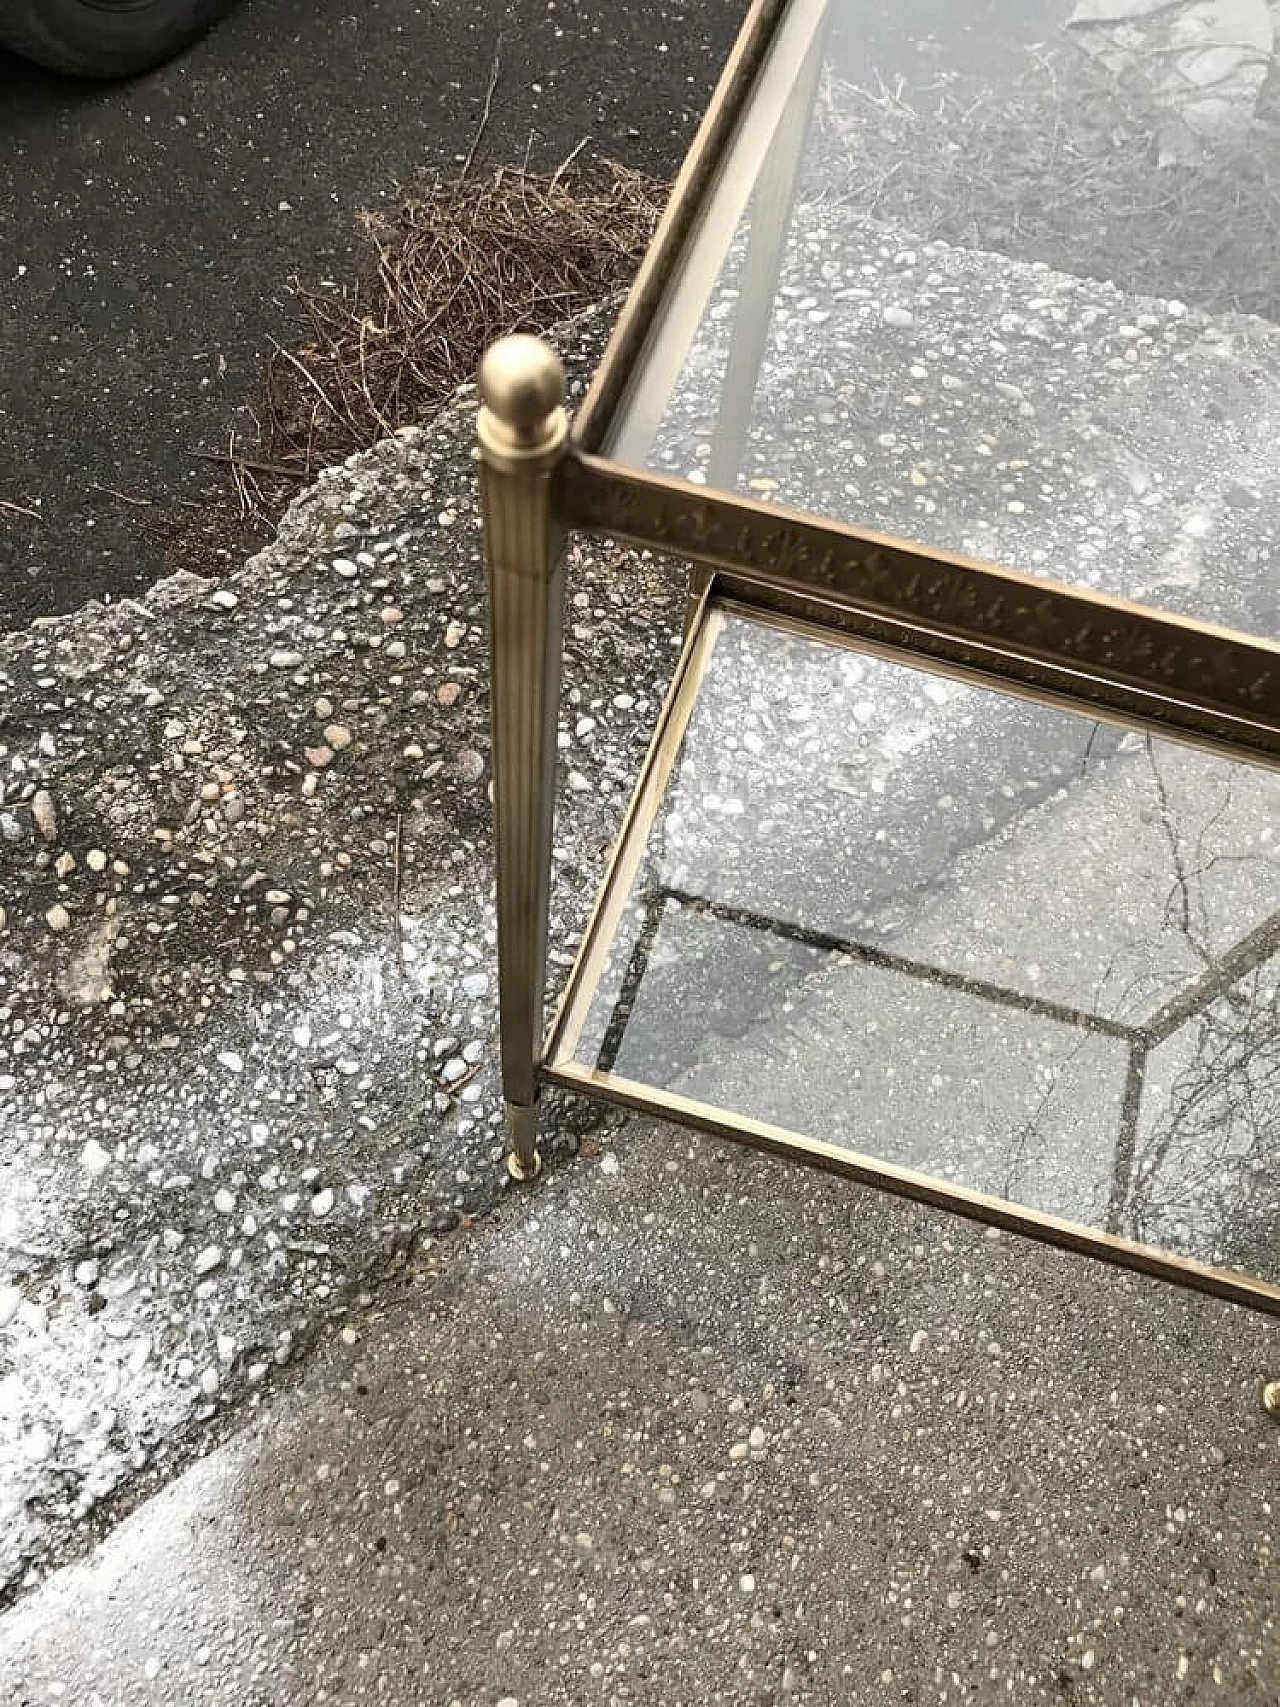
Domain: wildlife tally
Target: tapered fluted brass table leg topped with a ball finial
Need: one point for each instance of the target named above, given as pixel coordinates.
(523, 433)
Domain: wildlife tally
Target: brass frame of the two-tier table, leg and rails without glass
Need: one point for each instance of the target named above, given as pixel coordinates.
(1050, 643)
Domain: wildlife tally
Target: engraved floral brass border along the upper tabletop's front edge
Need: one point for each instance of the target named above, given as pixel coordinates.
(1097, 651)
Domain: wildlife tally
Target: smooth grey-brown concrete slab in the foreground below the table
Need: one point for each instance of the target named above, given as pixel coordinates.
(685, 1426)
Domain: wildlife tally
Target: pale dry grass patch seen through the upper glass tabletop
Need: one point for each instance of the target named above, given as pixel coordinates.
(1062, 166)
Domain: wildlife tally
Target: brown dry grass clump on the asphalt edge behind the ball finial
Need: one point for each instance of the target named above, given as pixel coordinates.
(460, 264)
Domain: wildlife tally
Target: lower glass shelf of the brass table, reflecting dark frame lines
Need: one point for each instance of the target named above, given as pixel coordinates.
(991, 941)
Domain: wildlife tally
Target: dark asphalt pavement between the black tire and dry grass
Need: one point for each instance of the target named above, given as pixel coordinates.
(151, 228)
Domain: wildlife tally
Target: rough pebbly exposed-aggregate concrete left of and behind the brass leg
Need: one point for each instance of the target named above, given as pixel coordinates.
(219, 1080)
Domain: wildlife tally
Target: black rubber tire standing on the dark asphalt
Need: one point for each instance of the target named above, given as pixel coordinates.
(105, 40)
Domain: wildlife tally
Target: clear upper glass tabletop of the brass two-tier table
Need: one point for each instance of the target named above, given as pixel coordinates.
(998, 279)
